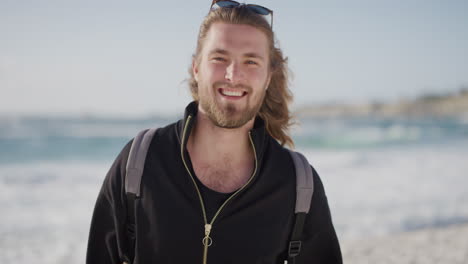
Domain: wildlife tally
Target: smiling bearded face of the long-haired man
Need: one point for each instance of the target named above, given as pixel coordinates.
(232, 74)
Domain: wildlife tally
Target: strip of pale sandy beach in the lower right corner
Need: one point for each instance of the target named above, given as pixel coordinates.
(447, 245)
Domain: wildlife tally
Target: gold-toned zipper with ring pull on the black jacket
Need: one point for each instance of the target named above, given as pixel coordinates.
(207, 241)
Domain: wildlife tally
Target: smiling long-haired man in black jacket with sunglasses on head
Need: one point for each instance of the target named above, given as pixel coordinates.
(218, 186)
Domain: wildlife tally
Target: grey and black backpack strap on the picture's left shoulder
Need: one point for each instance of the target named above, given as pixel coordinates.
(134, 171)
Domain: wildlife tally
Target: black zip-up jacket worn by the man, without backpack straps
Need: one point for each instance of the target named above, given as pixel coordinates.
(253, 227)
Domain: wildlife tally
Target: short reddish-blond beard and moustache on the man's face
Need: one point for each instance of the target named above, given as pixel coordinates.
(228, 115)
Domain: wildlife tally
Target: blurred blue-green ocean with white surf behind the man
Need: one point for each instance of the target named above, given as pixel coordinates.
(382, 176)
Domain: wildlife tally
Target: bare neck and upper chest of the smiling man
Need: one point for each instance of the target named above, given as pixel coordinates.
(222, 158)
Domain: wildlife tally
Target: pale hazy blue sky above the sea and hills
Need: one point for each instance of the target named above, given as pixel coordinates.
(132, 57)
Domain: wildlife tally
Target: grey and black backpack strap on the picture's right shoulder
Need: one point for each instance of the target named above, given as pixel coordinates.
(304, 192)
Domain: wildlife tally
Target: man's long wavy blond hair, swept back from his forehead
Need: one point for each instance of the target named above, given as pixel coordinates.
(275, 107)
